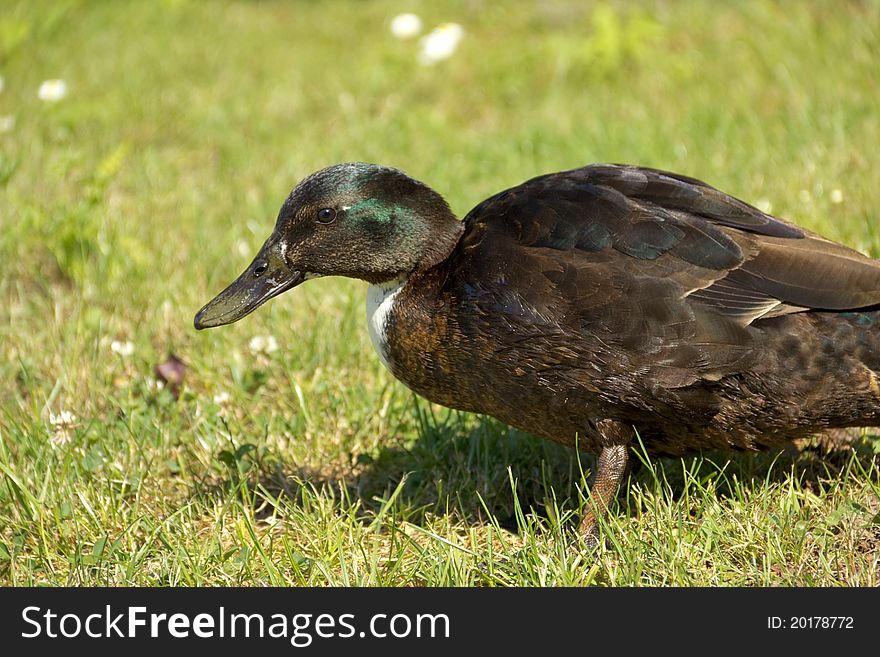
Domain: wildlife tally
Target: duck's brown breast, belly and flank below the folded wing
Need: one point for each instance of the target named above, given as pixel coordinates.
(804, 374)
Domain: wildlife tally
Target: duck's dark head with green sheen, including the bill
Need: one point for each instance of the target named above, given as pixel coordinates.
(358, 220)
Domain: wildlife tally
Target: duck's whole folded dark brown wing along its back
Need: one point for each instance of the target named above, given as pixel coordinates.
(655, 264)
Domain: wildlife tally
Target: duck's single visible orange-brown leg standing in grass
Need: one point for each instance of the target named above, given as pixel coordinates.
(610, 470)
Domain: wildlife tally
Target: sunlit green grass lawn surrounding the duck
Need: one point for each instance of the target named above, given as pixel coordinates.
(128, 204)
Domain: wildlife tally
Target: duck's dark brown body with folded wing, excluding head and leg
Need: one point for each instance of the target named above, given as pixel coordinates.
(524, 323)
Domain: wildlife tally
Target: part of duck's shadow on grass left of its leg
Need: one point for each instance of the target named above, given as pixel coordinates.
(467, 467)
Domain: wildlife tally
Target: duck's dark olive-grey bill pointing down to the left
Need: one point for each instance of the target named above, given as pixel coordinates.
(247, 293)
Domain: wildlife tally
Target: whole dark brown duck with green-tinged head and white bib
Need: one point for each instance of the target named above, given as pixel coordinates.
(601, 307)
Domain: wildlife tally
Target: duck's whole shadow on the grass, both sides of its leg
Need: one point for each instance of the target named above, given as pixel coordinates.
(478, 469)
